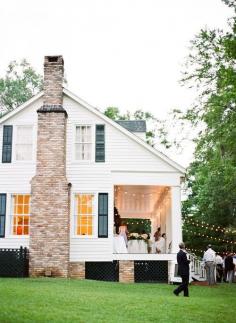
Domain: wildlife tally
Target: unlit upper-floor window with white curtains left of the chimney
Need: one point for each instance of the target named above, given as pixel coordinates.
(24, 143)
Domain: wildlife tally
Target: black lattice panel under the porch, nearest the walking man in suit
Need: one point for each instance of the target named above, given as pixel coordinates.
(150, 271)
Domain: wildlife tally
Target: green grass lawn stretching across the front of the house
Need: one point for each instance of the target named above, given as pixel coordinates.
(60, 300)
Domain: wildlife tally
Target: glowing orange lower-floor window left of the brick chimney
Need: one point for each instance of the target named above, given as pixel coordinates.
(20, 214)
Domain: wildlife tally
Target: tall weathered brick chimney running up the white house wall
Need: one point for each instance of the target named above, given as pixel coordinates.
(49, 224)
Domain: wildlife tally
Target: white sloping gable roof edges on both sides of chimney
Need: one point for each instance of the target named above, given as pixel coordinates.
(97, 112)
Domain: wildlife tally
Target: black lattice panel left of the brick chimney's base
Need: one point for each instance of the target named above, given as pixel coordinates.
(14, 262)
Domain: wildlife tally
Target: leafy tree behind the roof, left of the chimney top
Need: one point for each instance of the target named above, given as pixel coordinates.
(20, 83)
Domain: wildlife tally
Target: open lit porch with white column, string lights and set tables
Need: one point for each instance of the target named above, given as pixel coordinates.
(141, 210)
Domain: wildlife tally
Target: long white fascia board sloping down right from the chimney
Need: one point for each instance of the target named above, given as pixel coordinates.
(129, 134)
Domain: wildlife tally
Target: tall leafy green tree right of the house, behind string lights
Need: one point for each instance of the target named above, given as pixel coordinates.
(211, 178)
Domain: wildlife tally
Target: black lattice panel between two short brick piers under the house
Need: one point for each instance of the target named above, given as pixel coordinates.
(106, 271)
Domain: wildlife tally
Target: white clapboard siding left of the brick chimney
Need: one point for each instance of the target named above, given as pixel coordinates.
(15, 177)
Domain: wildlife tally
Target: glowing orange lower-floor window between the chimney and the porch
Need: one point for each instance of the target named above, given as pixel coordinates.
(84, 214)
